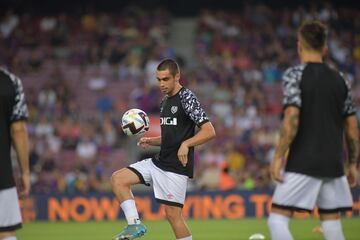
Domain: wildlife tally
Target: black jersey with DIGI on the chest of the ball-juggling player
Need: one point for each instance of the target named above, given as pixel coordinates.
(179, 114)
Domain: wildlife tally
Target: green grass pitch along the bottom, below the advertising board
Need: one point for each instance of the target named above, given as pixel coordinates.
(160, 230)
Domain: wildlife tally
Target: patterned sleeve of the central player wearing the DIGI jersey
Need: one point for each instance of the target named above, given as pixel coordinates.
(193, 108)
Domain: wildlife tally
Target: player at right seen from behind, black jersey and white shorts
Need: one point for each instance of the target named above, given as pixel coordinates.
(318, 110)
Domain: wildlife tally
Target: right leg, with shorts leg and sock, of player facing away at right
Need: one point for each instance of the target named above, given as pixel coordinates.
(334, 196)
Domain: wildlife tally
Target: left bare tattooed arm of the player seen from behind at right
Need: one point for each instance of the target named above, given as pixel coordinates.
(288, 132)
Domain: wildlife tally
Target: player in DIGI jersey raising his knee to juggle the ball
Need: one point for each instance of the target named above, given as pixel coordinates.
(168, 171)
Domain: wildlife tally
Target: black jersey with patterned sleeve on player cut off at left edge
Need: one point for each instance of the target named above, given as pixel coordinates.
(12, 108)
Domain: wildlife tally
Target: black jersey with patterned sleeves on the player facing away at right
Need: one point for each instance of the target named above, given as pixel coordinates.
(324, 99)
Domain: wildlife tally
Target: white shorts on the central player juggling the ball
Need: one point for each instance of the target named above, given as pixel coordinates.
(169, 187)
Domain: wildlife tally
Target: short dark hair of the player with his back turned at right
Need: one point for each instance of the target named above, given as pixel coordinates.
(314, 35)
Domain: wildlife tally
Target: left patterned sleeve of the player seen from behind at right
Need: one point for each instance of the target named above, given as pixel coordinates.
(291, 86)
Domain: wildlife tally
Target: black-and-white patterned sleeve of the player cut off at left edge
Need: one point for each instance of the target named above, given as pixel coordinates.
(19, 109)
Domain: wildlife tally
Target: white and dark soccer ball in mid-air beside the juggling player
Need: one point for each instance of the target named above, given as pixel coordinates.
(134, 122)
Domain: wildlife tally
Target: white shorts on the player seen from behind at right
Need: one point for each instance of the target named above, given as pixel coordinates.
(302, 192)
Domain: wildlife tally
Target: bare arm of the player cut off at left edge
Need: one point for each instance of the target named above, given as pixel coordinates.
(20, 140)
